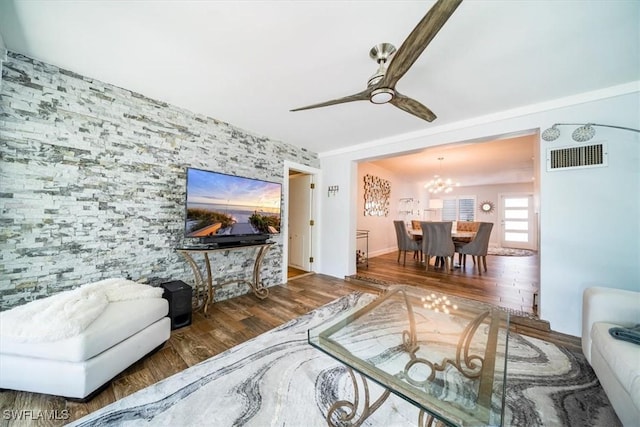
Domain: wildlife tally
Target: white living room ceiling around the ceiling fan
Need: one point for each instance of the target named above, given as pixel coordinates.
(249, 62)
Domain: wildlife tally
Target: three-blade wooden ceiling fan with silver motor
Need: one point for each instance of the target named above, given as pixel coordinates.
(381, 86)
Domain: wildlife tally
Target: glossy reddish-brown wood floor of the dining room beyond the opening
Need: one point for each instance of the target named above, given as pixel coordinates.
(510, 281)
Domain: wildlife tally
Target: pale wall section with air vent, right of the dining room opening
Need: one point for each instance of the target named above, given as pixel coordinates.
(590, 218)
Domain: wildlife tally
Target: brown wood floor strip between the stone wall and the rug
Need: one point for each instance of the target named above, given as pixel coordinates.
(228, 323)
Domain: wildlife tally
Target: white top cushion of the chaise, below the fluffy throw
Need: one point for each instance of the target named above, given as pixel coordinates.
(119, 321)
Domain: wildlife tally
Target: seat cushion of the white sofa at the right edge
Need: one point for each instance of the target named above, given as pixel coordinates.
(623, 358)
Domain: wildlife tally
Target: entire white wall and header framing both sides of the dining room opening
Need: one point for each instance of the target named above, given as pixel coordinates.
(590, 219)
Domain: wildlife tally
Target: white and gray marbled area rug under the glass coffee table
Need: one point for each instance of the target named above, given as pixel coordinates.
(278, 379)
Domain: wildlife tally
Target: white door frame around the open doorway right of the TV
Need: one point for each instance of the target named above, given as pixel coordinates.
(315, 214)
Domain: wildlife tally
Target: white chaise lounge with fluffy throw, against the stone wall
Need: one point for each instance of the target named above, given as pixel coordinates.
(126, 329)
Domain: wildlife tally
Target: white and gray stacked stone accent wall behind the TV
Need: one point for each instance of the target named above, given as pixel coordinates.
(92, 183)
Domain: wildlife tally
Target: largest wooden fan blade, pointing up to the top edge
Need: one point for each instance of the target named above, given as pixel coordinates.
(418, 40)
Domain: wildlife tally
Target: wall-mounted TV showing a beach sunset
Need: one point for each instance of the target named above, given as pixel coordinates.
(219, 205)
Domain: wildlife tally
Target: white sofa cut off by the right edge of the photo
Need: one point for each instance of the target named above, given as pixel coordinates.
(615, 362)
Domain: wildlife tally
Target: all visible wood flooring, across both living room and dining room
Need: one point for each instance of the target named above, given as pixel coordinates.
(234, 321)
